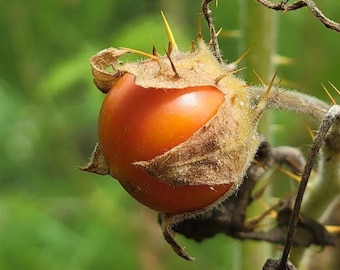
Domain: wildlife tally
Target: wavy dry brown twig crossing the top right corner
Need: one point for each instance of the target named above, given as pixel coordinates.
(283, 6)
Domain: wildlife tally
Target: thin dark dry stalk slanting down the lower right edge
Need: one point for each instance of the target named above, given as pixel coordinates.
(325, 125)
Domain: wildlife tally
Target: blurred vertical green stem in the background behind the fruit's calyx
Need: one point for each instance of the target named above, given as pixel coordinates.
(263, 35)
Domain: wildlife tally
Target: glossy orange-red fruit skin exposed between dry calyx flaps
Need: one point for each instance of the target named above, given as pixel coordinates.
(137, 123)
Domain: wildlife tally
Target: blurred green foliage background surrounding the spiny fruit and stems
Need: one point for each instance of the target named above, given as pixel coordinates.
(55, 217)
